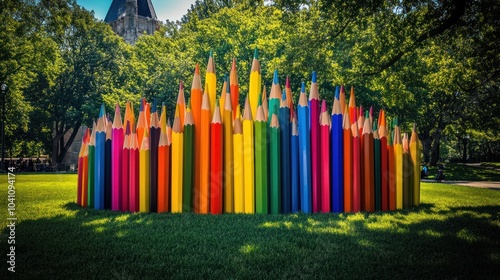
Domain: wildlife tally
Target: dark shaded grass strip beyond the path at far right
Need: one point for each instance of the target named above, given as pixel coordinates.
(460, 172)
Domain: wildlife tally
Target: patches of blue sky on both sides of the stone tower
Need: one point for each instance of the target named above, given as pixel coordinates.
(165, 9)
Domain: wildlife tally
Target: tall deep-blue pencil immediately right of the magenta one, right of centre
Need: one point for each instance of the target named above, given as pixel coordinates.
(337, 156)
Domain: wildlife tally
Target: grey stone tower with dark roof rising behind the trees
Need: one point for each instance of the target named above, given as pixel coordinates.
(132, 18)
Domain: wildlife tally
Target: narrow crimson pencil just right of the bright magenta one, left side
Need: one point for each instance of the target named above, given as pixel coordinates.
(123, 195)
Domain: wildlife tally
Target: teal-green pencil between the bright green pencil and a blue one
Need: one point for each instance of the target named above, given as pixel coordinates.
(274, 163)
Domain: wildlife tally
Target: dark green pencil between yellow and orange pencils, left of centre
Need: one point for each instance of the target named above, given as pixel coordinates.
(188, 180)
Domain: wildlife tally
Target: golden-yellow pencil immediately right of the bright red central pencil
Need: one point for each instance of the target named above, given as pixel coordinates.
(228, 154)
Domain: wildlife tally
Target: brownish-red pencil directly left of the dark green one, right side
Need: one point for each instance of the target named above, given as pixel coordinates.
(368, 182)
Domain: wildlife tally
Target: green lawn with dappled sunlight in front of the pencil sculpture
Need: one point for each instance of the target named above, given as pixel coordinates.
(453, 234)
